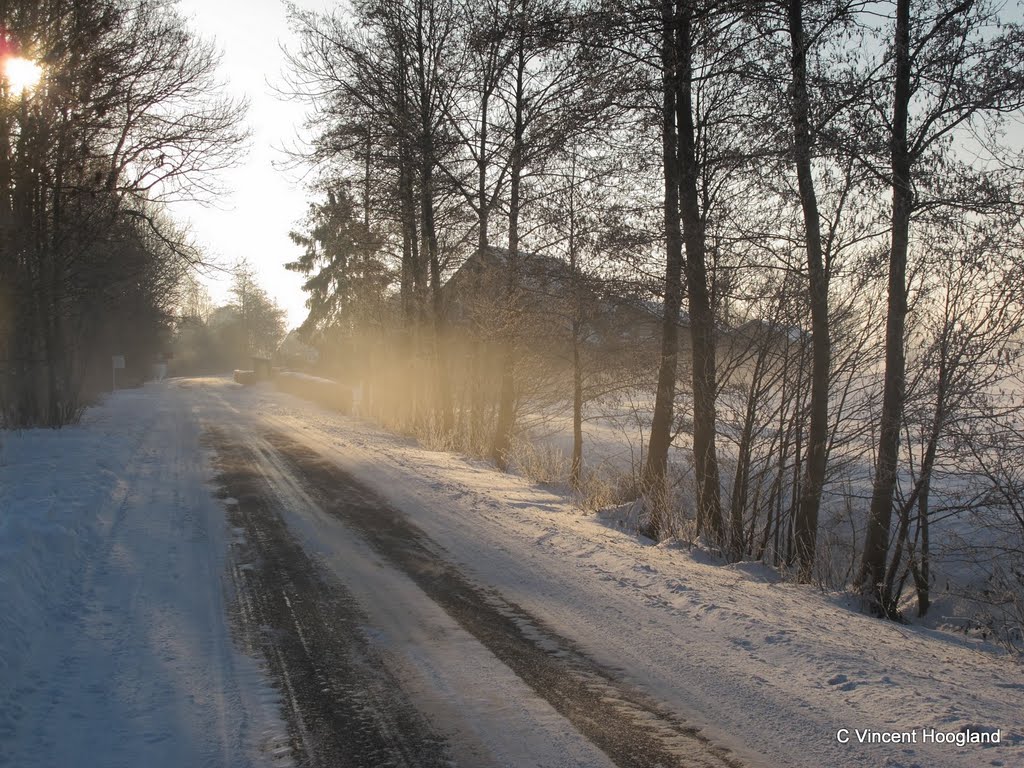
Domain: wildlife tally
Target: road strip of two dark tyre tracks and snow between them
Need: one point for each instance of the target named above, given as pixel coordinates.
(390, 628)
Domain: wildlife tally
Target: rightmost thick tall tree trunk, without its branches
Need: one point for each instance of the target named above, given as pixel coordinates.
(873, 568)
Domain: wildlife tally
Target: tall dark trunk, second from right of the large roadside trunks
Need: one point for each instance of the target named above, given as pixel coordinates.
(806, 523)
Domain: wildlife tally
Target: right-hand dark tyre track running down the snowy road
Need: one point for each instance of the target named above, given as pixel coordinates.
(631, 730)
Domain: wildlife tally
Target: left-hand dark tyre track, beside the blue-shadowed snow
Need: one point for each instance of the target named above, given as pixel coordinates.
(343, 706)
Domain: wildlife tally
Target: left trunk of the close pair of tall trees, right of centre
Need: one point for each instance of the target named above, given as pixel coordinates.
(662, 421)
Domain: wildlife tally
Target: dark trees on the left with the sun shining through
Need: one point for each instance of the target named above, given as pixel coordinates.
(126, 117)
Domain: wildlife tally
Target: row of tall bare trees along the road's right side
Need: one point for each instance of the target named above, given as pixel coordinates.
(837, 175)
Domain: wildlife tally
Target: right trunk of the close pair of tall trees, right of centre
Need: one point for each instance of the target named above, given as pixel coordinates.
(699, 295)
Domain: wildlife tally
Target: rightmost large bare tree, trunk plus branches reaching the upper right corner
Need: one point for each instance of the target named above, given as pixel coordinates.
(949, 72)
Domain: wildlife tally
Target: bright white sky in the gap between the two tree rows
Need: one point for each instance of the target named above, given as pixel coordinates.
(261, 205)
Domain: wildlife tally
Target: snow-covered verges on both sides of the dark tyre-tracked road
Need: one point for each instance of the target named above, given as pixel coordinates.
(112, 552)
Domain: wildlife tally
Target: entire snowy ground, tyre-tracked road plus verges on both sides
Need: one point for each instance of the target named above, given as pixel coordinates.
(206, 576)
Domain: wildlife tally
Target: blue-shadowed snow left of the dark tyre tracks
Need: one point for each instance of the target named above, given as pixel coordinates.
(114, 642)
